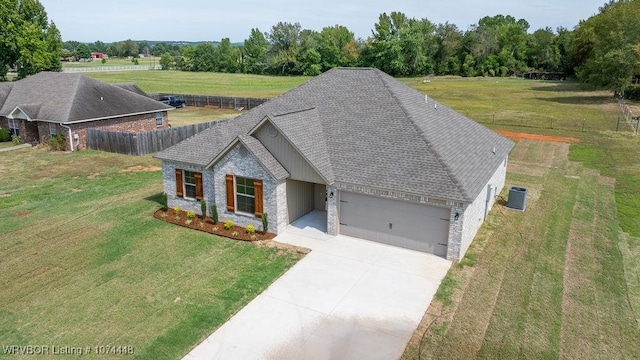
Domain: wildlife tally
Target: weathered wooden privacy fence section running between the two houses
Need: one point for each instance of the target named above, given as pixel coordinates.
(143, 143)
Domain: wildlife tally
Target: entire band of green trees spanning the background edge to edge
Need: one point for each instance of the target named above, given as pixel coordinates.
(602, 51)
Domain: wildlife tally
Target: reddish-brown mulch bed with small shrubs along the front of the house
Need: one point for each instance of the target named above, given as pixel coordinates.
(208, 226)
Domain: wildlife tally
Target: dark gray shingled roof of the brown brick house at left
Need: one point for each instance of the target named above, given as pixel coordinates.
(65, 98)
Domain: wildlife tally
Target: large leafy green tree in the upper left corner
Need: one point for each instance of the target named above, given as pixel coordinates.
(28, 41)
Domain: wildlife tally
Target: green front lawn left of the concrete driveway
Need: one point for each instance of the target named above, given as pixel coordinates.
(84, 263)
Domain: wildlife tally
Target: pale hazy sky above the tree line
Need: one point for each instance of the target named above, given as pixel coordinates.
(206, 20)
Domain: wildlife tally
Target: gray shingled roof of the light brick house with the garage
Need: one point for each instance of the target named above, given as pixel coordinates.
(367, 128)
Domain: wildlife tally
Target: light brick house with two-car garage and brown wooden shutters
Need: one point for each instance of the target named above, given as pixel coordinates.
(383, 161)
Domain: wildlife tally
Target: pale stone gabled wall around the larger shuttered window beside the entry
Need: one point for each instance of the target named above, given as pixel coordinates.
(235, 163)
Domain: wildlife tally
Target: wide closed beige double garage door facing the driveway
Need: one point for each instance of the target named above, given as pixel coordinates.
(409, 225)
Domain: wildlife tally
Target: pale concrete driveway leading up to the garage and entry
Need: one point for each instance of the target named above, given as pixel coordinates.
(347, 299)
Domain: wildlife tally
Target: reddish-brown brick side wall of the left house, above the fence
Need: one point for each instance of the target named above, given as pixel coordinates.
(138, 123)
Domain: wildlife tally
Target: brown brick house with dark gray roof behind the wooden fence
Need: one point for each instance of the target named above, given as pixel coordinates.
(60, 103)
